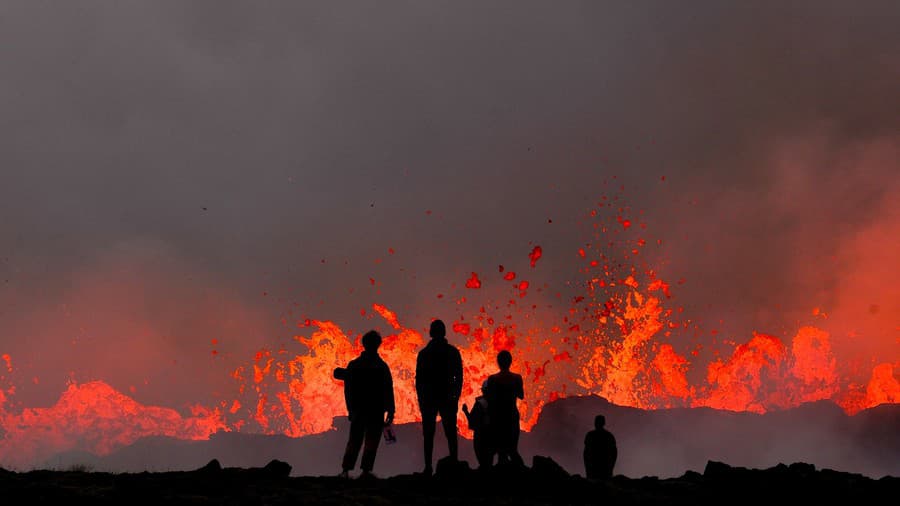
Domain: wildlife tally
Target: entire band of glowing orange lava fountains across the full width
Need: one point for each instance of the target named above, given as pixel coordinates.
(613, 339)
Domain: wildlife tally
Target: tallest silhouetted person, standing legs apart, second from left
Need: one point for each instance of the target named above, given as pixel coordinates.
(439, 378)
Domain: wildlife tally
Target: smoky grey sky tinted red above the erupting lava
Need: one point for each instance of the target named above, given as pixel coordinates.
(163, 165)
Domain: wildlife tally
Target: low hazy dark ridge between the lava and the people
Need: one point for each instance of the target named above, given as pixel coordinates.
(662, 443)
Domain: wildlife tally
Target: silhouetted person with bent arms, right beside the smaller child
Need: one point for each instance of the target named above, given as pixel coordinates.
(502, 390)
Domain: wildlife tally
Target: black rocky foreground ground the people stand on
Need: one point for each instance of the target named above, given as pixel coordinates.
(544, 483)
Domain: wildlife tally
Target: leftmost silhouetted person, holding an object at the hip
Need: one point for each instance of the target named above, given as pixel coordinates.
(369, 394)
